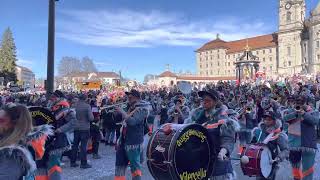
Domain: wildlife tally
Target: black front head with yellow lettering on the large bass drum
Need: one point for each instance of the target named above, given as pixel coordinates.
(192, 153)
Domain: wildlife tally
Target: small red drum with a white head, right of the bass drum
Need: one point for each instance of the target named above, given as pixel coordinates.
(260, 161)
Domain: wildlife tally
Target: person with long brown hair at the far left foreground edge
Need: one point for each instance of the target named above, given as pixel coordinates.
(16, 160)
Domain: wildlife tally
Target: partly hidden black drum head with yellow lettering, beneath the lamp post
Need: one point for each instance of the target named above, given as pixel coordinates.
(41, 116)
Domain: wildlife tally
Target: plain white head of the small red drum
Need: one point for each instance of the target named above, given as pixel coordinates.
(265, 162)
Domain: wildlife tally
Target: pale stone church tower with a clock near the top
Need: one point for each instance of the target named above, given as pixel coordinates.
(291, 24)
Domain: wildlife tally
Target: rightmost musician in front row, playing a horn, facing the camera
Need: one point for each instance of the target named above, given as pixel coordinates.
(302, 121)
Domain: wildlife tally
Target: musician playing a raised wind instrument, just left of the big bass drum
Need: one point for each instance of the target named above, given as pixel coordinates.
(130, 143)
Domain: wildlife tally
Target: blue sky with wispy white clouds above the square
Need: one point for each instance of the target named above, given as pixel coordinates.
(135, 36)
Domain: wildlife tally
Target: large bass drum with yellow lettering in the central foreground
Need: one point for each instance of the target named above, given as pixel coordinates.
(180, 152)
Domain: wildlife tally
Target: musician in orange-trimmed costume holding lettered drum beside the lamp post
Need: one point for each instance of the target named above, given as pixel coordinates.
(48, 167)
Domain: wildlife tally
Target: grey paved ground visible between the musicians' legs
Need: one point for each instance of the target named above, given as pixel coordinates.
(103, 169)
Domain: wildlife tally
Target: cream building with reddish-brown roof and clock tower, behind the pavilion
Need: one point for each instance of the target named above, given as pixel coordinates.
(294, 48)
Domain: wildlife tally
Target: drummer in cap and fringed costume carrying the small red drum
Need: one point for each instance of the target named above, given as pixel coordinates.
(270, 129)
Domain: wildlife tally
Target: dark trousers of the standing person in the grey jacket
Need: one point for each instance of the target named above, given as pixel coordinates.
(80, 137)
